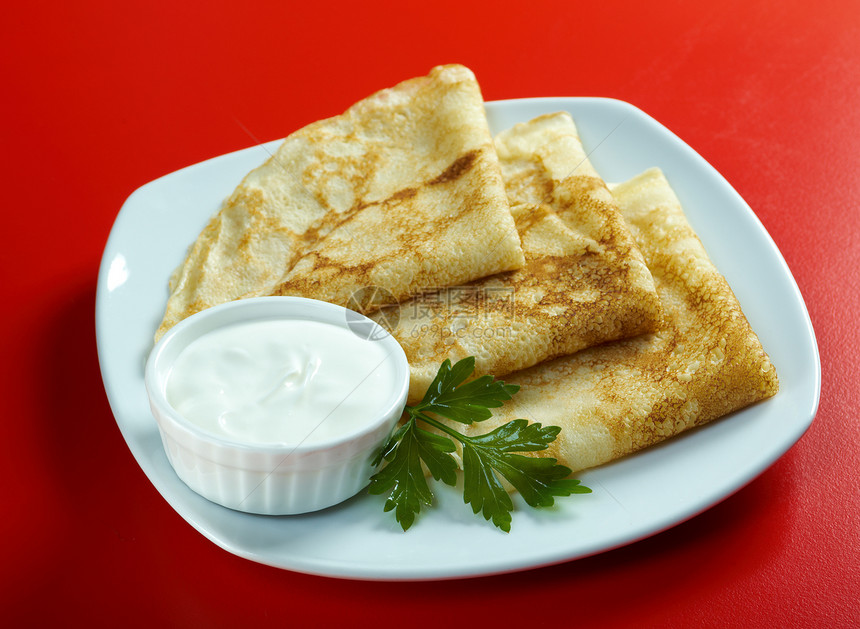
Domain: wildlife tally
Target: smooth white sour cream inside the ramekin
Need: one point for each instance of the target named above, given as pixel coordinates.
(281, 382)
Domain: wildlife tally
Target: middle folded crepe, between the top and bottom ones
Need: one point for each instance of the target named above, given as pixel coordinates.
(584, 281)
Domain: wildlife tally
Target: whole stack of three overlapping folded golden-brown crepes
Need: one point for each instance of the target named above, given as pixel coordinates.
(600, 302)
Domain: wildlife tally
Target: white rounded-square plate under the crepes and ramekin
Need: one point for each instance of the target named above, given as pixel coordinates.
(632, 498)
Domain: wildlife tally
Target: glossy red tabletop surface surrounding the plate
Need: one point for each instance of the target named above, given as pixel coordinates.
(102, 97)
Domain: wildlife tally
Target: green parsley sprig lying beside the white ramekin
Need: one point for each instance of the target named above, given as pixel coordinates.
(485, 457)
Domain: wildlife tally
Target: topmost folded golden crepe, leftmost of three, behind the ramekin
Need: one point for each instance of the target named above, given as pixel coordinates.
(401, 192)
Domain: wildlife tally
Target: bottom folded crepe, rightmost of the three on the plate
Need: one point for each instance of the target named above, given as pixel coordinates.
(704, 362)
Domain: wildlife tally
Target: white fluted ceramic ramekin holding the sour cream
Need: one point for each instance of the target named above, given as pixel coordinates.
(273, 480)
